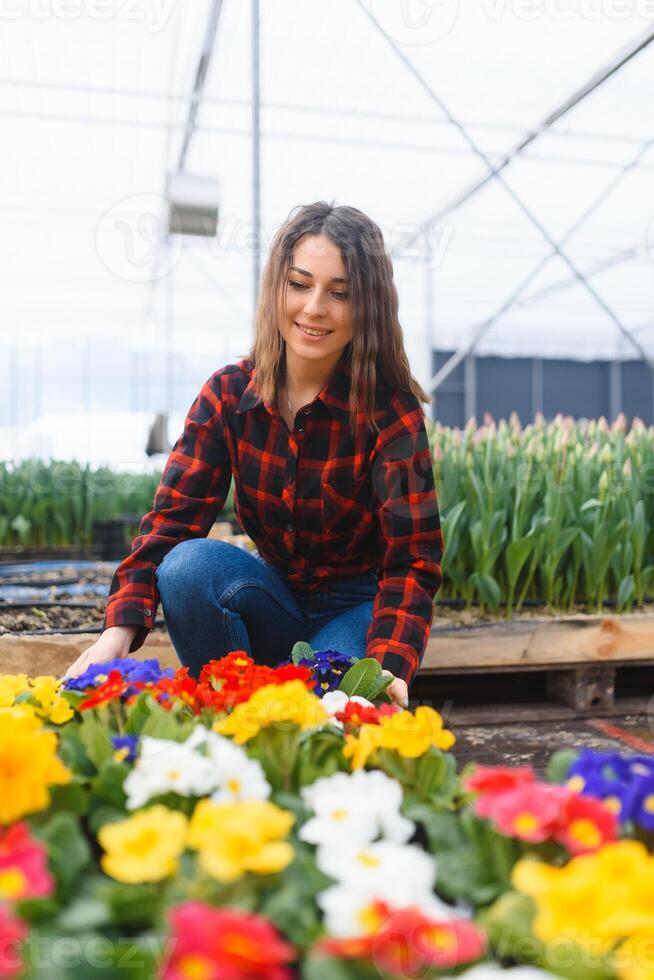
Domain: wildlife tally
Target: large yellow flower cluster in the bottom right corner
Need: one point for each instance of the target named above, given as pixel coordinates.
(602, 897)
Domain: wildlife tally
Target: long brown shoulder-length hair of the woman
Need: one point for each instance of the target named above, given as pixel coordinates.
(377, 345)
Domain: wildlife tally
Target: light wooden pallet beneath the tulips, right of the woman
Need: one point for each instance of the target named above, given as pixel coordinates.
(576, 666)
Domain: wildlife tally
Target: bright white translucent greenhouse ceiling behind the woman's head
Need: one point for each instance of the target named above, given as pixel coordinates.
(398, 118)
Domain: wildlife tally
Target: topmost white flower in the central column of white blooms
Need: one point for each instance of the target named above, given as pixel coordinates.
(356, 807)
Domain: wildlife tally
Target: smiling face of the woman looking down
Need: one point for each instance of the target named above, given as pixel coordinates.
(317, 297)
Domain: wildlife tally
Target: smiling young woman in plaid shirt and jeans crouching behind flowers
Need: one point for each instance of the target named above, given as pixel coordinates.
(323, 430)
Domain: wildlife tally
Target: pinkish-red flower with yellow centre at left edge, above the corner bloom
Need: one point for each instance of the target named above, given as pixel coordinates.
(23, 865)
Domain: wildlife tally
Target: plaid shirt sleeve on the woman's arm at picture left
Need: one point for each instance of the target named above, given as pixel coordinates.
(191, 493)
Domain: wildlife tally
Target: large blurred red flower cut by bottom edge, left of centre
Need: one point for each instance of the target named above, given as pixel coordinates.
(224, 944)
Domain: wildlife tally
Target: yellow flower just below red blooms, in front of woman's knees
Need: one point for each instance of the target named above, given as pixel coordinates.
(275, 704)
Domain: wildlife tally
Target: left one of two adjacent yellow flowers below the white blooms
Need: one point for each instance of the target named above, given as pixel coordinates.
(144, 847)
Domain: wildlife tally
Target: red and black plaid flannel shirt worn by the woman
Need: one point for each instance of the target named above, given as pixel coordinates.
(316, 502)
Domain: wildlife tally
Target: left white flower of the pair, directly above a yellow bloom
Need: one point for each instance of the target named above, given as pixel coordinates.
(164, 766)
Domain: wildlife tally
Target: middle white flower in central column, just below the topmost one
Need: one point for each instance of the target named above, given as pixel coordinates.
(399, 874)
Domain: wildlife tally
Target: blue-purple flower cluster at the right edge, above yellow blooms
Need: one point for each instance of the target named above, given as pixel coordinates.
(625, 784)
